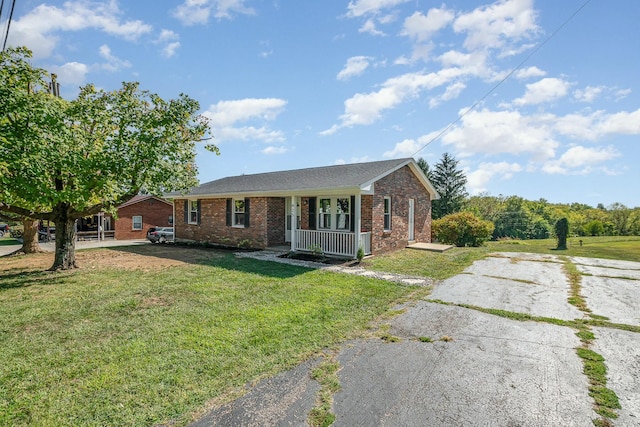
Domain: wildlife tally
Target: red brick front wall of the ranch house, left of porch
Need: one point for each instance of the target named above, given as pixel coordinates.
(266, 223)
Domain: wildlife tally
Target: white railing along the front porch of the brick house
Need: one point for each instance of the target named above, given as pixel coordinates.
(332, 242)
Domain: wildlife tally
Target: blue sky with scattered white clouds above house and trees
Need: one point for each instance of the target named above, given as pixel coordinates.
(295, 84)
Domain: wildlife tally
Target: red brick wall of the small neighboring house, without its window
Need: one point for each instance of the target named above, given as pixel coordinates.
(154, 213)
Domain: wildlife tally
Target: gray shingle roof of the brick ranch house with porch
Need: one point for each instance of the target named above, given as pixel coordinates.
(319, 178)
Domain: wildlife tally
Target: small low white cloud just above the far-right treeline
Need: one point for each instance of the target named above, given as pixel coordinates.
(579, 160)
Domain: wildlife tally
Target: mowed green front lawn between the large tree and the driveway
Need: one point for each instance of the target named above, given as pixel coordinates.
(128, 347)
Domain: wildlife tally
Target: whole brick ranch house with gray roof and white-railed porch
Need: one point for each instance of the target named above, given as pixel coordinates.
(387, 202)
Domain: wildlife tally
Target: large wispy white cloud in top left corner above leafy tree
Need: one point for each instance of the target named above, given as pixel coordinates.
(37, 29)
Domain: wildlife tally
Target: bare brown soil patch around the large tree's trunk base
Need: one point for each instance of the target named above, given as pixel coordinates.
(145, 257)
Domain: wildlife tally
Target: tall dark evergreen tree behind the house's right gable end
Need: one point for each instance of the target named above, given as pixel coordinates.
(450, 183)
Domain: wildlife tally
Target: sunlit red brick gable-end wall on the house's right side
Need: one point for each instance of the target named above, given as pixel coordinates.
(401, 186)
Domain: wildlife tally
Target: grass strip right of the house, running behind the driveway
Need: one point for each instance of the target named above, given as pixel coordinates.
(454, 261)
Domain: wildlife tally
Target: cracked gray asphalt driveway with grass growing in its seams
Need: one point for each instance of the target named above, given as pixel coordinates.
(459, 366)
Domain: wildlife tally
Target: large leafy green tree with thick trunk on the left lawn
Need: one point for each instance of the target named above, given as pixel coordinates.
(63, 160)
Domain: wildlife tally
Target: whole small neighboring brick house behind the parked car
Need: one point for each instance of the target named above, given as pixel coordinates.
(138, 214)
